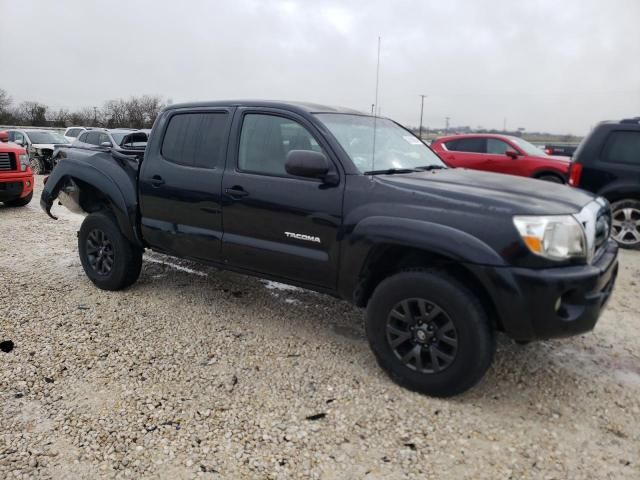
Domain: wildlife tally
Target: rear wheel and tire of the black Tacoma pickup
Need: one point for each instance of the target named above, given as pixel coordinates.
(109, 260)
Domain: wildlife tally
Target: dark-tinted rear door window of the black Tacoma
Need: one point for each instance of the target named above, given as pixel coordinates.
(196, 139)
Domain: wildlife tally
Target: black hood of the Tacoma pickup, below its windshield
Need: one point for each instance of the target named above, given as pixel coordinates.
(475, 190)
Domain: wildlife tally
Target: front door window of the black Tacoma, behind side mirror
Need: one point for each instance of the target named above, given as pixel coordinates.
(266, 140)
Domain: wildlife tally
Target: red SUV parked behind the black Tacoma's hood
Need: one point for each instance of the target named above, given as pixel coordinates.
(501, 154)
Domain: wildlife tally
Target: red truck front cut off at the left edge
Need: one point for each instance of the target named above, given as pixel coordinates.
(16, 177)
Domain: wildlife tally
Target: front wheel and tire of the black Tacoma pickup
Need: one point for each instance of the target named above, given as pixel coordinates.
(445, 301)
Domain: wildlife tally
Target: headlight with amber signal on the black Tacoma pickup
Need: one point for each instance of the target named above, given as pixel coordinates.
(557, 237)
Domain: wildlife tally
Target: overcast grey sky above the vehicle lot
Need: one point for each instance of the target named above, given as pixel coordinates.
(556, 66)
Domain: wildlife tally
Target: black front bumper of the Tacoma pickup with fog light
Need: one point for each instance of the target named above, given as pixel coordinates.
(556, 302)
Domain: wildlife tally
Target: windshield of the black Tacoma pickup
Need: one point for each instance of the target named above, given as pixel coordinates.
(396, 150)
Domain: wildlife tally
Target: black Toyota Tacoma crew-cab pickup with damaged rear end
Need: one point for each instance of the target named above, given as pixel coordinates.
(357, 207)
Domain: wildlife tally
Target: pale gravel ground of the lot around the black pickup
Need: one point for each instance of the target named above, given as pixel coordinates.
(195, 372)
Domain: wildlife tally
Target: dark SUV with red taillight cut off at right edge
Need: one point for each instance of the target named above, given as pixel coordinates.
(607, 162)
